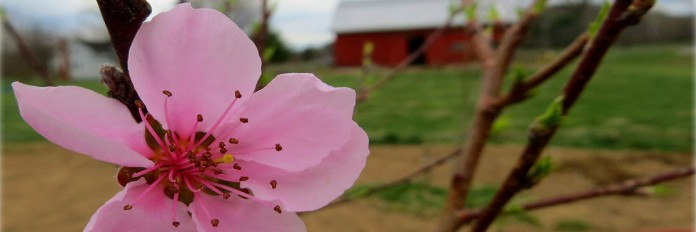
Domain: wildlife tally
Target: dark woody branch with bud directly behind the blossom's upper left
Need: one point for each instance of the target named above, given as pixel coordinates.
(123, 19)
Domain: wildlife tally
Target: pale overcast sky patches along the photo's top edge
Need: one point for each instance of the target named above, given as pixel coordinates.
(302, 23)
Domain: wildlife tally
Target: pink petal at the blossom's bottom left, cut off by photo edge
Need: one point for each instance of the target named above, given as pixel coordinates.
(153, 212)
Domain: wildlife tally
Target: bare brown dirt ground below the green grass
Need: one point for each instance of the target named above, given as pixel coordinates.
(46, 188)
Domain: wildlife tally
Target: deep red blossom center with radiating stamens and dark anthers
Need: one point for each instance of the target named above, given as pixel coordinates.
(187, 166)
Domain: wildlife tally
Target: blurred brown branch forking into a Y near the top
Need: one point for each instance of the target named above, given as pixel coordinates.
(494, 65)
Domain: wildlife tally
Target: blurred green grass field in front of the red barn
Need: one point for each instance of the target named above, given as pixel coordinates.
(641, 98)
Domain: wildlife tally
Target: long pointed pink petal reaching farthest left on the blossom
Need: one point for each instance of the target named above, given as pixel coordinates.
(83, 121)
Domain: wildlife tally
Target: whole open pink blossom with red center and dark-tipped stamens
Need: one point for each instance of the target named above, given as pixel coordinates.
(213, 155)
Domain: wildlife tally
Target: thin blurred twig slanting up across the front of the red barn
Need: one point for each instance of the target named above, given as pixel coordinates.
(364, 93)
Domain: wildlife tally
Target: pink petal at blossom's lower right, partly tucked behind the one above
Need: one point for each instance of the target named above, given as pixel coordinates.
(314, 187)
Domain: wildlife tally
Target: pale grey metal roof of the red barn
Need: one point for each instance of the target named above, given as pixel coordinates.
(392, 15)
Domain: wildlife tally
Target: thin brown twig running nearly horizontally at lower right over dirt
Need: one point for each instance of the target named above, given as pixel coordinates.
(628, 187)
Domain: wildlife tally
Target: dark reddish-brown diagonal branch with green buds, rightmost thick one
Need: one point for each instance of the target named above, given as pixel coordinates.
(622, 14)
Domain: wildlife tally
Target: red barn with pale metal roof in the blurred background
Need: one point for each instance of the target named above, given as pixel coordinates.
(397, 28)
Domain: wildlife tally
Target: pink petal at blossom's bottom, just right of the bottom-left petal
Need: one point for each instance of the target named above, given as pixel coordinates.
(239, 215)
